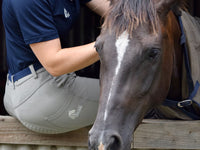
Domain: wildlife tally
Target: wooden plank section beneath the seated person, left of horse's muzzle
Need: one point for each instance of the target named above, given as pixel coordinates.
(12, 132)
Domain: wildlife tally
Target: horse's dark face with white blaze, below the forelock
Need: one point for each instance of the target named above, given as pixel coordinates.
(135, 75)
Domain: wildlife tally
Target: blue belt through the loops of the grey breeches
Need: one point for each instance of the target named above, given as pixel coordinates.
(24, 72)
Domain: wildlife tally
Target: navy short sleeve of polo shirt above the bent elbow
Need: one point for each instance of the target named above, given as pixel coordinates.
(35, 19)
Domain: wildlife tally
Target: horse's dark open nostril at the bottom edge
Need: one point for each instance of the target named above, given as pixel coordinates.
(115, 143)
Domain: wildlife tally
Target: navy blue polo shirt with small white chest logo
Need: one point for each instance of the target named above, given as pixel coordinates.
(32, 21)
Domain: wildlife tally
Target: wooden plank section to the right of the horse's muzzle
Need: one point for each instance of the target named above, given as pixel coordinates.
(164, 134)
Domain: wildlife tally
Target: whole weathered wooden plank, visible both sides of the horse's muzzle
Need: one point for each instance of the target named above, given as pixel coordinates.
(151, 134)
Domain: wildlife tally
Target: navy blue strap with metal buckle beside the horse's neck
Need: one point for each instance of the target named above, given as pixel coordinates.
(193, 89)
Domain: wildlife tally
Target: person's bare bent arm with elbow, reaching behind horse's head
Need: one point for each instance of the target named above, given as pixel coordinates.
(59, 61)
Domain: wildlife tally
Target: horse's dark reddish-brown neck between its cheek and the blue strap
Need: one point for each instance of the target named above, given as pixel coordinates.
(175, 90)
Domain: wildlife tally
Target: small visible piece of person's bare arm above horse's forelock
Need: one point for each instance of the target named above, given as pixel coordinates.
(99, 6)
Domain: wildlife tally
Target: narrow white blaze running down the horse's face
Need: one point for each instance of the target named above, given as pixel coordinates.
(121, 46)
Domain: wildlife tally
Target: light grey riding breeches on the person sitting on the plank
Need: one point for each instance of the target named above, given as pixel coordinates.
(58, 104)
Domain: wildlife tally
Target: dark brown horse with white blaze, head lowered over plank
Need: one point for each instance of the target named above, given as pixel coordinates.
(141, 65)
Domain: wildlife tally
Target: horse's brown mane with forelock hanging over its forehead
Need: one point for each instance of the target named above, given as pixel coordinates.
(129, 14)
